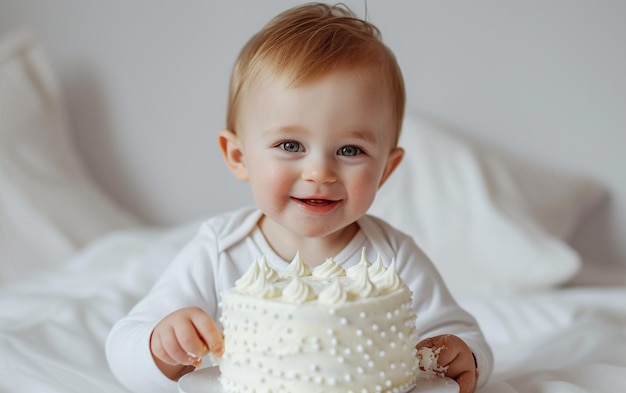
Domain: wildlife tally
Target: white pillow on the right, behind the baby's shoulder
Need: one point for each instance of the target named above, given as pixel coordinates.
(491, 223)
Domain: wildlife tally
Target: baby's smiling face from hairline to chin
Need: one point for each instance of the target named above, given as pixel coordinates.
(315, 155)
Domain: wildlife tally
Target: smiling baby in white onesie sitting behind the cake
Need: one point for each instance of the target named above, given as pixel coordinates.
(315, 110)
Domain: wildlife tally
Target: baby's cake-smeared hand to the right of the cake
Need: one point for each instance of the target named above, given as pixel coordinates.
(454, 358)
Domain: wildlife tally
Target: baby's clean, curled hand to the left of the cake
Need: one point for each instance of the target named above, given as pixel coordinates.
(182, 338)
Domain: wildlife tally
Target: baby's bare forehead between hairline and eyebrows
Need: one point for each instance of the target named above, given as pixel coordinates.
(344, 102)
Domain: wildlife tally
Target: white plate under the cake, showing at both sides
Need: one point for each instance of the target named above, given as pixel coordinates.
(207, 380)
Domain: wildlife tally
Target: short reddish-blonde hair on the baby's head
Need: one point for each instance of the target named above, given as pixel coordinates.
(311, 41)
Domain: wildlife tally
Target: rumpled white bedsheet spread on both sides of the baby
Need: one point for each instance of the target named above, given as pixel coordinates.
(53, 326)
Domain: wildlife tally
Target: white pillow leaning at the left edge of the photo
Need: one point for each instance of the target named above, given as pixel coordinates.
(49, 207)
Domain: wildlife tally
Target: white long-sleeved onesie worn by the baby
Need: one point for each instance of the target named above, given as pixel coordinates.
(222, 251)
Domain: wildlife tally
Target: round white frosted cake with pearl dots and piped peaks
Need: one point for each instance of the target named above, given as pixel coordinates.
(329, 331)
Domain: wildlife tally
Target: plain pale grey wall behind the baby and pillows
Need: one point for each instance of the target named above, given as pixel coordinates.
(146, 86)
